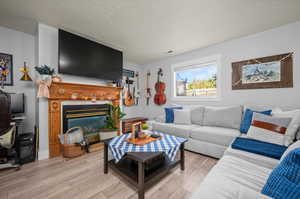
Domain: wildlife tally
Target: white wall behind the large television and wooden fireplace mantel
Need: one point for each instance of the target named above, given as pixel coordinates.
(47, 48)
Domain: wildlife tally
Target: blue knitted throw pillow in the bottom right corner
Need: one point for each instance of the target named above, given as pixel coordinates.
(284, 180)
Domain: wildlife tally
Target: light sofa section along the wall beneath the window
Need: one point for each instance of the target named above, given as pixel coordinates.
(211, 131)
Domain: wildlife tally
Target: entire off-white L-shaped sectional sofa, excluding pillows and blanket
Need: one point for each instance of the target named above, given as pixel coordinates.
(238, 174)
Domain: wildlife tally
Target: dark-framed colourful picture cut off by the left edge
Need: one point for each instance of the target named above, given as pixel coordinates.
(6, 70)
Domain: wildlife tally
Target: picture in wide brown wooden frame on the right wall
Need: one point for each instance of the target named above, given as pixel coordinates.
(267, 72)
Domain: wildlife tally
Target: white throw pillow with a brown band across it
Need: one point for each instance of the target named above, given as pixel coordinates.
(268, 129)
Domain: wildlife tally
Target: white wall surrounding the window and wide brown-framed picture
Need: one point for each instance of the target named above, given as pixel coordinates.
(276, 41)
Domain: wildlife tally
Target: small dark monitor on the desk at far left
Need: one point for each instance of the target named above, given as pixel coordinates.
(17, 104)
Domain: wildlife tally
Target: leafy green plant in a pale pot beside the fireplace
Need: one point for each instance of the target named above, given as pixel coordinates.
(112, 120)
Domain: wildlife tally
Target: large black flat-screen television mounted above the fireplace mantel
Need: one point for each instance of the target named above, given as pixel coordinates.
(82, 57)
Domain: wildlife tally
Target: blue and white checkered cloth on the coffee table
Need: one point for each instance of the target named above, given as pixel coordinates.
(168, 144)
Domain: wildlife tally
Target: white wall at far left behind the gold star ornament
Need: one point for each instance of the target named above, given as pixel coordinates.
(21, 46)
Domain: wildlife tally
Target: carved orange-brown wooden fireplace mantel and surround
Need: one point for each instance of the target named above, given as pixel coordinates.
(62, 94)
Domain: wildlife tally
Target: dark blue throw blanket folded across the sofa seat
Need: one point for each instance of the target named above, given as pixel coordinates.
(259, 147)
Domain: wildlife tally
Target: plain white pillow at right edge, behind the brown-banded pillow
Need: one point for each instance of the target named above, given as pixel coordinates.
(293, 126)
